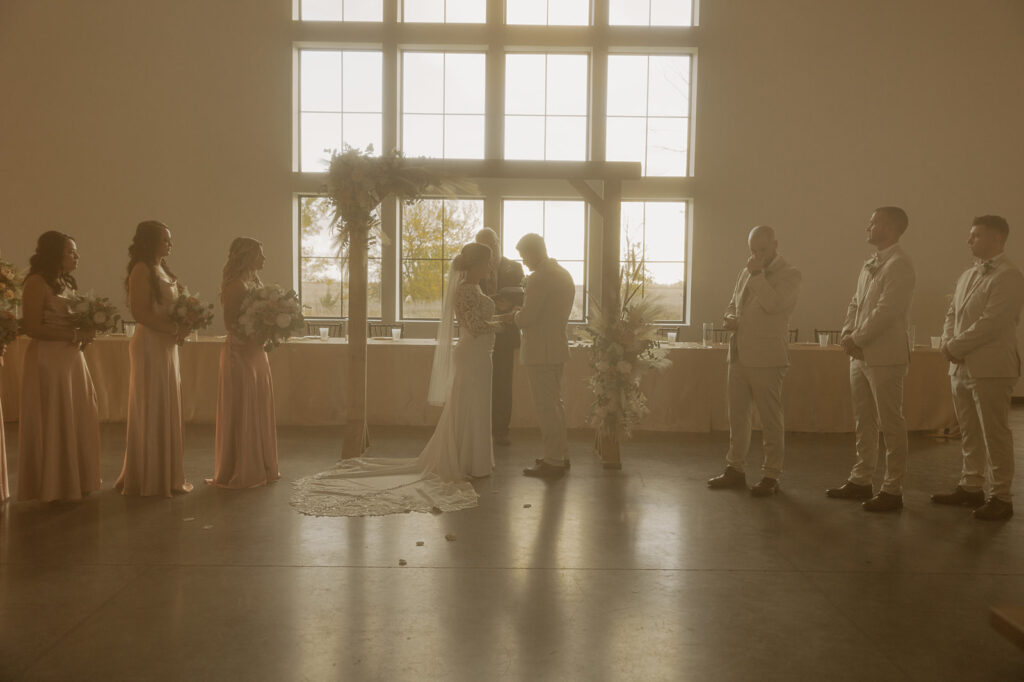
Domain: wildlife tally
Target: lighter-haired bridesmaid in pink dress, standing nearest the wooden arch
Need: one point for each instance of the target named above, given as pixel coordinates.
(247, 433)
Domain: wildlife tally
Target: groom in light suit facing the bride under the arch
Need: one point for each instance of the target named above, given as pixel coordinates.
(543, 319)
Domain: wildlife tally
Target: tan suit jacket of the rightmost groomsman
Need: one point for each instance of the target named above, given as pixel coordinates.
(982, 322)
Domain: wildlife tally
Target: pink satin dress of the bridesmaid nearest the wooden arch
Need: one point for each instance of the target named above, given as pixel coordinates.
(246, 451)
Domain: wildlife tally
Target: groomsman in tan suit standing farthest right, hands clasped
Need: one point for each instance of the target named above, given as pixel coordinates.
(980, 340)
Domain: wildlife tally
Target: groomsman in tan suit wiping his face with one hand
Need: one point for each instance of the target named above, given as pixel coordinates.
(758, 316)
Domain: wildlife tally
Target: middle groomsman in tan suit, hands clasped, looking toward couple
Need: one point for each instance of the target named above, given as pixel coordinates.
(875, 335)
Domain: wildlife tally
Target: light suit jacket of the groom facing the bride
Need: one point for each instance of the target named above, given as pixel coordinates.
(545, 315)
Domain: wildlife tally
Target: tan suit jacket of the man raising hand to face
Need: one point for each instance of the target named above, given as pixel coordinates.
(761, 306)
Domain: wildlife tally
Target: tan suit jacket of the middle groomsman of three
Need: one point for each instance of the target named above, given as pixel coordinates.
(879, 314)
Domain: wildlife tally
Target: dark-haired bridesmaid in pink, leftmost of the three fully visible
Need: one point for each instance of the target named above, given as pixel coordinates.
(60, 422)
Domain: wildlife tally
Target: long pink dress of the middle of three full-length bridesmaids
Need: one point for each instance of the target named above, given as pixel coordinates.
(155, 444)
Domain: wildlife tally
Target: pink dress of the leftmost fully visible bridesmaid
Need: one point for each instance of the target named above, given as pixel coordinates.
(59, 455)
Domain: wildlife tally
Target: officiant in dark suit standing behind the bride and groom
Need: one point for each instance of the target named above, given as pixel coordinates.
(504, 285)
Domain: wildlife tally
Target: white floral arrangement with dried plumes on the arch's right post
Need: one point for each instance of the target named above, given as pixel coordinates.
(624, 351)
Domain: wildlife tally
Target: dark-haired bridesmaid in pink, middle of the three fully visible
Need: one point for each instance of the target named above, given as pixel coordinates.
(155, 445)
